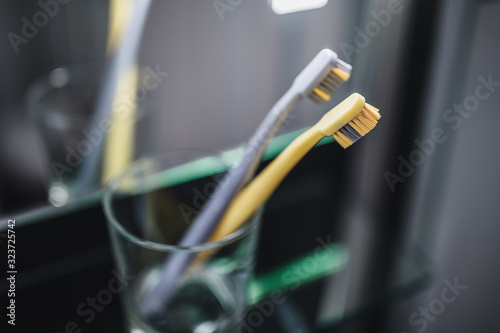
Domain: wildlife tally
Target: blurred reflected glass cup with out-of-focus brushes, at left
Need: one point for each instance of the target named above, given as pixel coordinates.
(63, 105)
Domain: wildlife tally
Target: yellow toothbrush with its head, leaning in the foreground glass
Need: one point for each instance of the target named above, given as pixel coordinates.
(347, 123)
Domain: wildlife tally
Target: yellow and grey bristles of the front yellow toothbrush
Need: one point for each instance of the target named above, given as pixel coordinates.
(364, 122)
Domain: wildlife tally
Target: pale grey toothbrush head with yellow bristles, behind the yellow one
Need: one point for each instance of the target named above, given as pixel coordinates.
(323, 76)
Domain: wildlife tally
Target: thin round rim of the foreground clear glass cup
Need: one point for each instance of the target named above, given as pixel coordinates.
(114, 223)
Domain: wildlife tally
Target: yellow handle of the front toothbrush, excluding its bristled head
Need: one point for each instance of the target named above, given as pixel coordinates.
(260, 189)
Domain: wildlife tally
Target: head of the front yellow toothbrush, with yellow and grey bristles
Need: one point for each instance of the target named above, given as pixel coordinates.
(349, 121)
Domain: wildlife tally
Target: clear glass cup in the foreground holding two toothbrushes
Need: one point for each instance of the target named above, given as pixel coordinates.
(148, 208)
